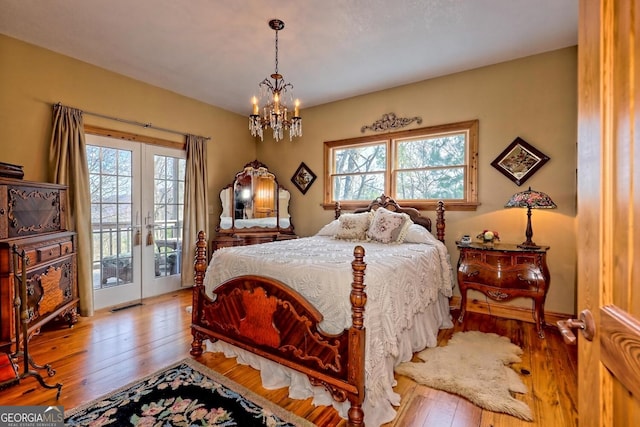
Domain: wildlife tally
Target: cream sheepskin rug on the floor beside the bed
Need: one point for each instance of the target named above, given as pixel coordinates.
(474, 365)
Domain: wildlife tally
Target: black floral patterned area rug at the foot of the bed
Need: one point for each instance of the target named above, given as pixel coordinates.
(184, 394)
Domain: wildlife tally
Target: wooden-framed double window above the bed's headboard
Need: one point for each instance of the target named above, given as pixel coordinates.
(417, 168)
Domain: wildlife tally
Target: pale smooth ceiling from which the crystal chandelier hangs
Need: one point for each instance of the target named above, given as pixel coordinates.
(217, 51)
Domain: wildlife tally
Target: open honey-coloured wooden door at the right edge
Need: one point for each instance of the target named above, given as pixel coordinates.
(609, 211)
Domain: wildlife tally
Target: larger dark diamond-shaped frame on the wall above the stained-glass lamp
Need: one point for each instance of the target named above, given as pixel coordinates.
(519, 161)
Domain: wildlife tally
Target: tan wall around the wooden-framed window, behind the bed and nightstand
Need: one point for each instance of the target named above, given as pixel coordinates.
(534, 98)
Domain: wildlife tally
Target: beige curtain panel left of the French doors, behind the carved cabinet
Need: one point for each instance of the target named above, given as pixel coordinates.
(68, 166)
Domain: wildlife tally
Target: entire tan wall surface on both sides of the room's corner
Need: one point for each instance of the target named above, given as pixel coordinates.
(534, 98)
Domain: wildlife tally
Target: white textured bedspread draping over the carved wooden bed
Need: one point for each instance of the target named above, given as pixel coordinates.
(407, 287)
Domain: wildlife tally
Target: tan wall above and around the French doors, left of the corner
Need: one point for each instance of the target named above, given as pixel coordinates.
(32, 79)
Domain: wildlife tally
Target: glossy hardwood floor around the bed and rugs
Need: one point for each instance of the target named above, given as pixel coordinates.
(110, 350)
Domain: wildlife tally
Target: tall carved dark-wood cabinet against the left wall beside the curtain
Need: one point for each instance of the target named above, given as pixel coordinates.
(33, 217)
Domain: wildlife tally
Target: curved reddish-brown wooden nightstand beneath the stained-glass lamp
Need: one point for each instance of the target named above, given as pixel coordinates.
(502, 272)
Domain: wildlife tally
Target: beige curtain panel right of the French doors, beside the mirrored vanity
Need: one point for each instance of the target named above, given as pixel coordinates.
(196, 217)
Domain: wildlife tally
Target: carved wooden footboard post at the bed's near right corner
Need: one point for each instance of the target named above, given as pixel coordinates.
(357, 338)
